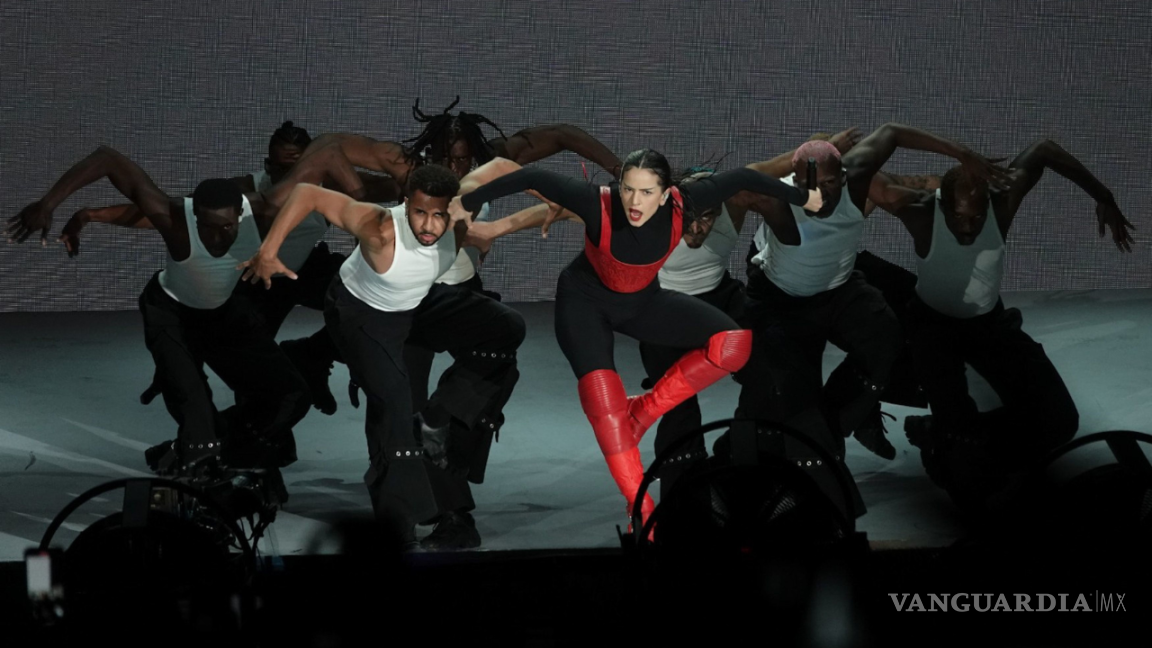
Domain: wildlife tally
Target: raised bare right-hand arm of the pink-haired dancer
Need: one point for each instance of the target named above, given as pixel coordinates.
(867, 159)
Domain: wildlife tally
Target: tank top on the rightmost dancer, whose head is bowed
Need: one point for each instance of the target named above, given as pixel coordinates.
(958, 281)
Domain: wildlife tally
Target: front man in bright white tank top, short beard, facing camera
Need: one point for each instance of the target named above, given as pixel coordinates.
(375, 306)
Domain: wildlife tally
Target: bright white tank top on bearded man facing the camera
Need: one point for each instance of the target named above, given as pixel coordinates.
(414, 269)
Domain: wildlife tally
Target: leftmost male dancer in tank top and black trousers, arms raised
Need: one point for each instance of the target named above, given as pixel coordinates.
(191, 315)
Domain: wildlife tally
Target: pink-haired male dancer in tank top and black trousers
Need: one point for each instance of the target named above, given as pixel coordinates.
(802, 292)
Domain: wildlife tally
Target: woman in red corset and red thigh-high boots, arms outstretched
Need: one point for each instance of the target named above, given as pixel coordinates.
(632, 229)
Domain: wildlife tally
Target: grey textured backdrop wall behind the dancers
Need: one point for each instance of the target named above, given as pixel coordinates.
(193, 91)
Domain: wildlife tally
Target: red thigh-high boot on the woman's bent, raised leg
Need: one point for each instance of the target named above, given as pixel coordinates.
(726, 352)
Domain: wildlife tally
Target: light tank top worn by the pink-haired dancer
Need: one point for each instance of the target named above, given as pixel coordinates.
(825, 255)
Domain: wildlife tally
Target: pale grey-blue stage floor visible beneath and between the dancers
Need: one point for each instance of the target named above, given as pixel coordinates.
(70, 420)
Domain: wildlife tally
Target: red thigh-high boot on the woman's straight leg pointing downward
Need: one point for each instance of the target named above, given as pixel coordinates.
(602, 395)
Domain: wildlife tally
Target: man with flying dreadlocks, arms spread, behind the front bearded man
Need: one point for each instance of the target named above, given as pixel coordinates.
(458, 142)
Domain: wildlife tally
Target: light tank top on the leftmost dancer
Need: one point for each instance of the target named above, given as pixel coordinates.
(203, 281)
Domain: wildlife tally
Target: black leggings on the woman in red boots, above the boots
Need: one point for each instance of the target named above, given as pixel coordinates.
(589, 314)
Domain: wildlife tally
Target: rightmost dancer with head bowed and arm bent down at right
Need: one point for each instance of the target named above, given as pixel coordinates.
(958, 317)
